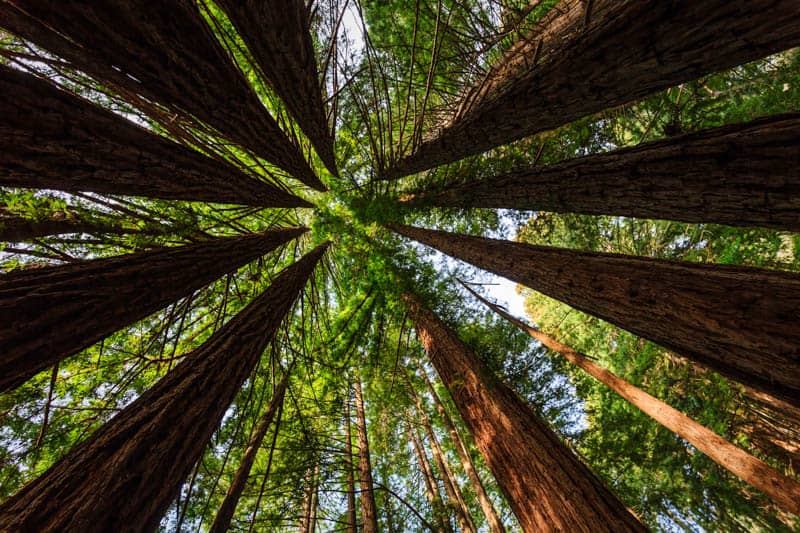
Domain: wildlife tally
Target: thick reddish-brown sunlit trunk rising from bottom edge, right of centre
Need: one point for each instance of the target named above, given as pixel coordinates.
(548, 488)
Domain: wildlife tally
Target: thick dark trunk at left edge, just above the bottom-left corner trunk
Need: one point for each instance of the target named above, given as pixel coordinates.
(50, 313)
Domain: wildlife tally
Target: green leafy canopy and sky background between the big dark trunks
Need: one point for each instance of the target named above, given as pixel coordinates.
(392, 73)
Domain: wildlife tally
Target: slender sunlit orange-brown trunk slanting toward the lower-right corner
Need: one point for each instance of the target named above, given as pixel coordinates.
(783, 490)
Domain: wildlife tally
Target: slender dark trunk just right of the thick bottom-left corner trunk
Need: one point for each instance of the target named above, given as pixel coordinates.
(225, 514)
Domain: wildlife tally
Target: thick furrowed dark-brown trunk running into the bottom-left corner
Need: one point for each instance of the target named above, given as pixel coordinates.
(124, 476)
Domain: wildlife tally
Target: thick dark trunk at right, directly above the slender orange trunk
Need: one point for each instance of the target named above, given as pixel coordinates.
(742, 322)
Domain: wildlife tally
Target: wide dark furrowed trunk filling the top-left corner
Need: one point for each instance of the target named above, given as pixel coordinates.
(112, 41)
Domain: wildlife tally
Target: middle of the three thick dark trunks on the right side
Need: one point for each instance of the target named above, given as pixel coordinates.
(741, 175)
